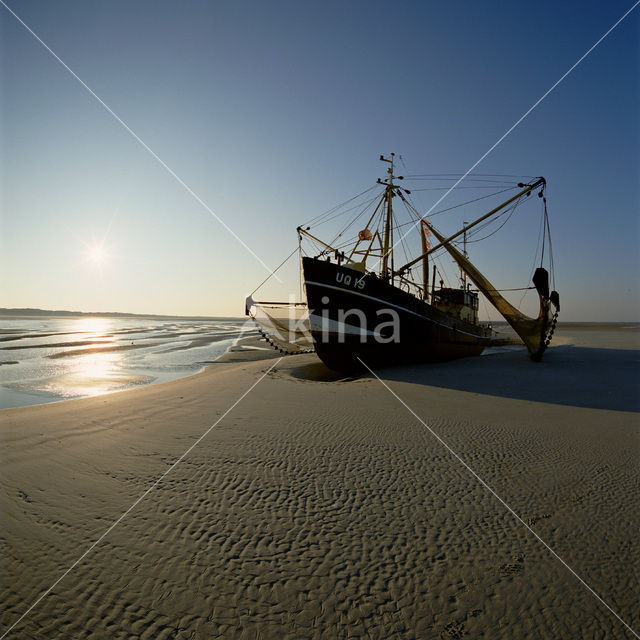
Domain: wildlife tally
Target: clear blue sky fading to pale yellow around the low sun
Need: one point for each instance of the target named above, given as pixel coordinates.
(273, 112)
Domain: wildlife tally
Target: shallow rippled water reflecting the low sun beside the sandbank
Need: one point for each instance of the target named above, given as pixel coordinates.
(58, 358)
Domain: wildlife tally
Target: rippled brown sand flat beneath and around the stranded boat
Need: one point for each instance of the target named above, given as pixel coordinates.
(320, 507)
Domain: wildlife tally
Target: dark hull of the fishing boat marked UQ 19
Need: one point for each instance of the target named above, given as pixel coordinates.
(357, 318)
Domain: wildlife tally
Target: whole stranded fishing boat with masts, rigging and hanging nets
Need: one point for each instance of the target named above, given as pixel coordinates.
(361, 308)
